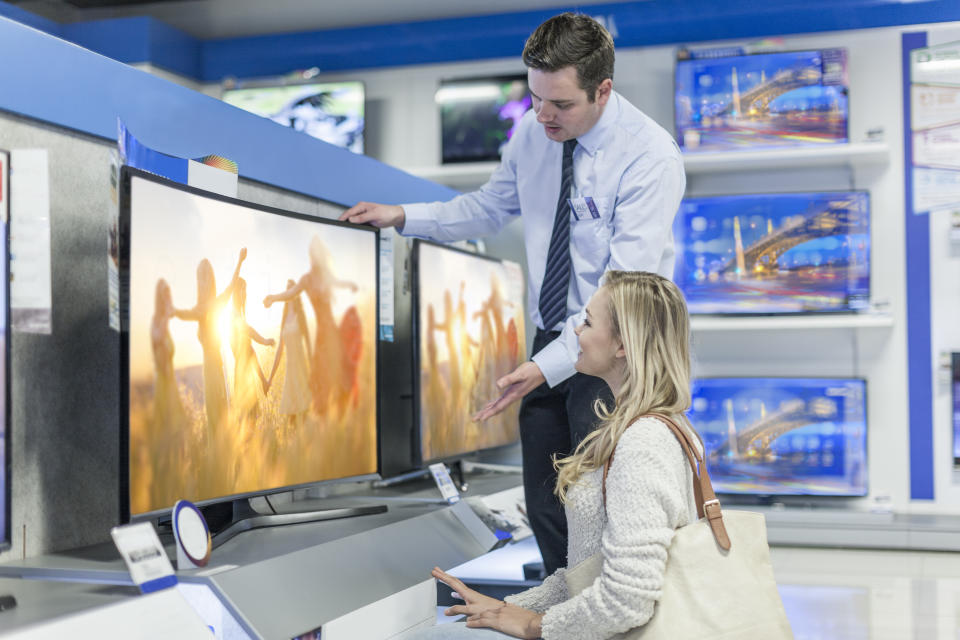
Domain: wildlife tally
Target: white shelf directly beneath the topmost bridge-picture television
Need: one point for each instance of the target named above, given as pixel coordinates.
(852, 154)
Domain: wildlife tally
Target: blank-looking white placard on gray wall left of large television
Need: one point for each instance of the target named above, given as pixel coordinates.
(30, 298)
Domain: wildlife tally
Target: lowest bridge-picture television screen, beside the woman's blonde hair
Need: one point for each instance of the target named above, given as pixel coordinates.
(783, 436)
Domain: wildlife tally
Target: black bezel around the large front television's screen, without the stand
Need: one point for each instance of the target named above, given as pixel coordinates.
(127, 174)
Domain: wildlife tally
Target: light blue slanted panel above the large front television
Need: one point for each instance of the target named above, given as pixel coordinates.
(75, 88)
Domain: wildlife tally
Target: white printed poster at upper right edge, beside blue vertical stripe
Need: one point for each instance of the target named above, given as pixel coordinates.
(935, 127)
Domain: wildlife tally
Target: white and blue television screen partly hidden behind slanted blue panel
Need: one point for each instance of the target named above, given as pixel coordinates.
(330, 111)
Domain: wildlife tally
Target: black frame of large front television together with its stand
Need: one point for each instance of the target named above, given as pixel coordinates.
(242, 517)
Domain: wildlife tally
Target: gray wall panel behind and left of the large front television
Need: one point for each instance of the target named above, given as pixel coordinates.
(65, 386)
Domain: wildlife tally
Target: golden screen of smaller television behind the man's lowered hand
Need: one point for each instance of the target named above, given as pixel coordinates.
(470, 332)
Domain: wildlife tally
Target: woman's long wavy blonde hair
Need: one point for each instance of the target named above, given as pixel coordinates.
(648, 316)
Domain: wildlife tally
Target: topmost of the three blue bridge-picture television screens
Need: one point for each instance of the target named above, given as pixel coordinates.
(762, 100)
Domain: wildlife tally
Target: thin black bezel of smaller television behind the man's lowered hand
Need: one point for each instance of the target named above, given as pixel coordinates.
(419, 458)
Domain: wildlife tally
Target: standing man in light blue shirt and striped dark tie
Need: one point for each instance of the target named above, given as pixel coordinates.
(598, 183)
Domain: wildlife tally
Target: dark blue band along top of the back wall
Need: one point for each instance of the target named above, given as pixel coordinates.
(636, 24)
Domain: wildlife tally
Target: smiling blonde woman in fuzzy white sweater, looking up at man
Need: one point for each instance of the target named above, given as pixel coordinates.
(635, 337)
